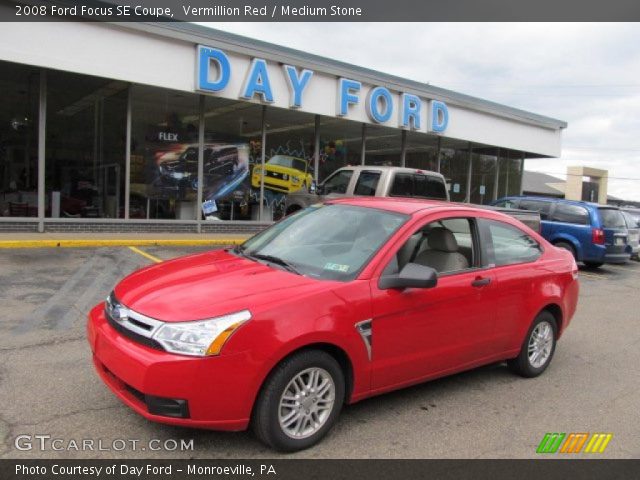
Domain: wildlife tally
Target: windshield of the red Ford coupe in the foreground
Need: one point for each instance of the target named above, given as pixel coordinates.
(330, 242)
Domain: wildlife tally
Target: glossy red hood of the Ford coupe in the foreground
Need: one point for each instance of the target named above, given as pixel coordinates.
(208, 285)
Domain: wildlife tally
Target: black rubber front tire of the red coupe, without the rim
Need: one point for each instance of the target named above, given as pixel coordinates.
(265, 421)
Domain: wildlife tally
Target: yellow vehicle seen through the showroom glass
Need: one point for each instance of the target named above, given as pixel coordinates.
(284, 174)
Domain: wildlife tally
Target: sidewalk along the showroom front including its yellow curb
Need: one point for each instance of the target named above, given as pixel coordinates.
(47, 240)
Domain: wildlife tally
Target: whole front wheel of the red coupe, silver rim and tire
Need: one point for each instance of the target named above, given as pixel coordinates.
(300, 401)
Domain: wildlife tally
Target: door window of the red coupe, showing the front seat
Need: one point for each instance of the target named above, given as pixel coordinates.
(446, 245)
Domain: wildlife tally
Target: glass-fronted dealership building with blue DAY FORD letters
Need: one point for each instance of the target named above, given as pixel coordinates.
(145, 127)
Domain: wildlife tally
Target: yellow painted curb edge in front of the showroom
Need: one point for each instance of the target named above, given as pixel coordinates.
(183, 242)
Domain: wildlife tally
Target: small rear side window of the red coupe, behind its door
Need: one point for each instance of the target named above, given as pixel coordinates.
(511, 245)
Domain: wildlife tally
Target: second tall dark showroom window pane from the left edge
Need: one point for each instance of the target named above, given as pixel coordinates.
(85, 146)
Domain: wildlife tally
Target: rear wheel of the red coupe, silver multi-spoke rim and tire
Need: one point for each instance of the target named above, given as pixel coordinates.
(538, 347)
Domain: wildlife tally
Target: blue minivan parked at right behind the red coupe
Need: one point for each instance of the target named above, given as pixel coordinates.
(595, 234)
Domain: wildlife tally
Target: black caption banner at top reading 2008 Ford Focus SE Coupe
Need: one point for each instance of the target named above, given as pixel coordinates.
(319, 10)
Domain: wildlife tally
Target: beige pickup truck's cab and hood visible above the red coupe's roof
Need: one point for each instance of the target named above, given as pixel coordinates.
(372, 181)
